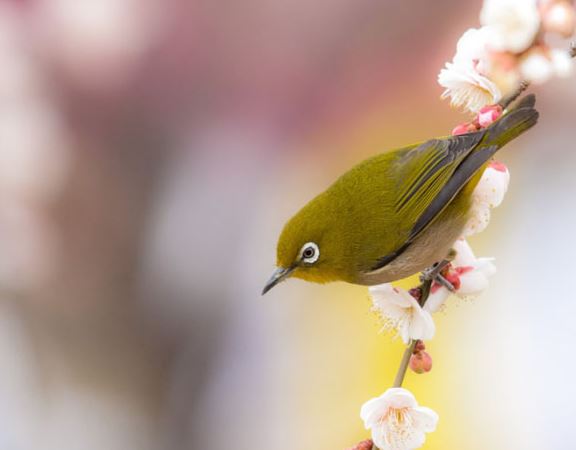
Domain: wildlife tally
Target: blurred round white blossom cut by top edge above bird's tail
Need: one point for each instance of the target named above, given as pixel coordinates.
(513, 24)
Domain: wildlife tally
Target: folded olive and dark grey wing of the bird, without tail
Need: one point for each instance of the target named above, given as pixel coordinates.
(429, 177)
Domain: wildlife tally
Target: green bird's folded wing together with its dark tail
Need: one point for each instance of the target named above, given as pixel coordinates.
(431, 174)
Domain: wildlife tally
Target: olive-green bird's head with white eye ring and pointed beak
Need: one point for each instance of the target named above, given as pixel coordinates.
(307, 250)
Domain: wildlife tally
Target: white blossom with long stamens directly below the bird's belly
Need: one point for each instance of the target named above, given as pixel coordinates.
(400, 311)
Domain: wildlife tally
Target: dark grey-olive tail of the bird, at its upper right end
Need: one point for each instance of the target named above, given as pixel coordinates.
(520, 118)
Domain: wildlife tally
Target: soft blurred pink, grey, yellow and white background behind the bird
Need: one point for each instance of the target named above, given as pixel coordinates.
(150, 152)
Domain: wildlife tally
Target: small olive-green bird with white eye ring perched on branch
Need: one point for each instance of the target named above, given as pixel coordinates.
(396, 213)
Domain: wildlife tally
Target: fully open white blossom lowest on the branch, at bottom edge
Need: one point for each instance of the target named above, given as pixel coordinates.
(396, 420)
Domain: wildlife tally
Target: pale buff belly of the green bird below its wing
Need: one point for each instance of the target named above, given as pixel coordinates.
(431, 246)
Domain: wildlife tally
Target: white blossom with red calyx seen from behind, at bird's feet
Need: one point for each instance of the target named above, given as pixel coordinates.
(469, 276)
